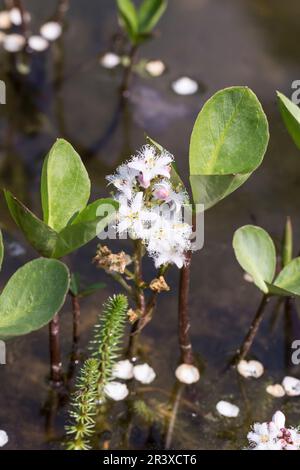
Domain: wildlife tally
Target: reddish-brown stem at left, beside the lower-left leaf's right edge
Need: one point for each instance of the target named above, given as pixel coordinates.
(55, 357)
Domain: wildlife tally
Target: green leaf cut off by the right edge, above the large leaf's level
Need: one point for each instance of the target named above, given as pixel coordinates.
(291, 117)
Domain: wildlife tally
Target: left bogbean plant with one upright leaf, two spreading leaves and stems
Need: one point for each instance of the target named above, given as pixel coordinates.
(69, 222)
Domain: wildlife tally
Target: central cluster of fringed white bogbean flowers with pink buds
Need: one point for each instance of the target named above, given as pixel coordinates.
(151, 206)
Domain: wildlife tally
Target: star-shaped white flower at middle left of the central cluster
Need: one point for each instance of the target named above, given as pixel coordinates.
(132, 216)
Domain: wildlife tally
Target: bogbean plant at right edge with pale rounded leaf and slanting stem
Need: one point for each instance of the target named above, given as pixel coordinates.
(256, 253)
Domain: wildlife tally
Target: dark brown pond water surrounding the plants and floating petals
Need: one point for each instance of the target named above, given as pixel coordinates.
(220, 43)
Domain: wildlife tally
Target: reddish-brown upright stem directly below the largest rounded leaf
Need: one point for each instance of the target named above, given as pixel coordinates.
(183, 312)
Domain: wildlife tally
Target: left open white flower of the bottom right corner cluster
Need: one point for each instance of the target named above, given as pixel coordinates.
(264, 437)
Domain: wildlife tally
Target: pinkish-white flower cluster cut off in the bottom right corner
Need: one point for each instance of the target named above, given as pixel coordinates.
(274, 435)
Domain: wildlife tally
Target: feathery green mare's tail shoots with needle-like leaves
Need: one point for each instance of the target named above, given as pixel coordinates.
(96, 373)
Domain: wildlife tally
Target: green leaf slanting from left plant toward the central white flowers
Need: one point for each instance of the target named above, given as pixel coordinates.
(85, 227)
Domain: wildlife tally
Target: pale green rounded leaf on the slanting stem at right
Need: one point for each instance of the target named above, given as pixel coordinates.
(255, 251)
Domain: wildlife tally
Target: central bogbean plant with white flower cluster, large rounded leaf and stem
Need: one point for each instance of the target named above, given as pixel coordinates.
(227, 144)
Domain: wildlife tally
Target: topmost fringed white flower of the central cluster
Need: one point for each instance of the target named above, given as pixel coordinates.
(149, 165)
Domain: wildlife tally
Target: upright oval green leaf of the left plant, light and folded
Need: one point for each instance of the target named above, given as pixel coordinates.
(65, 185)
